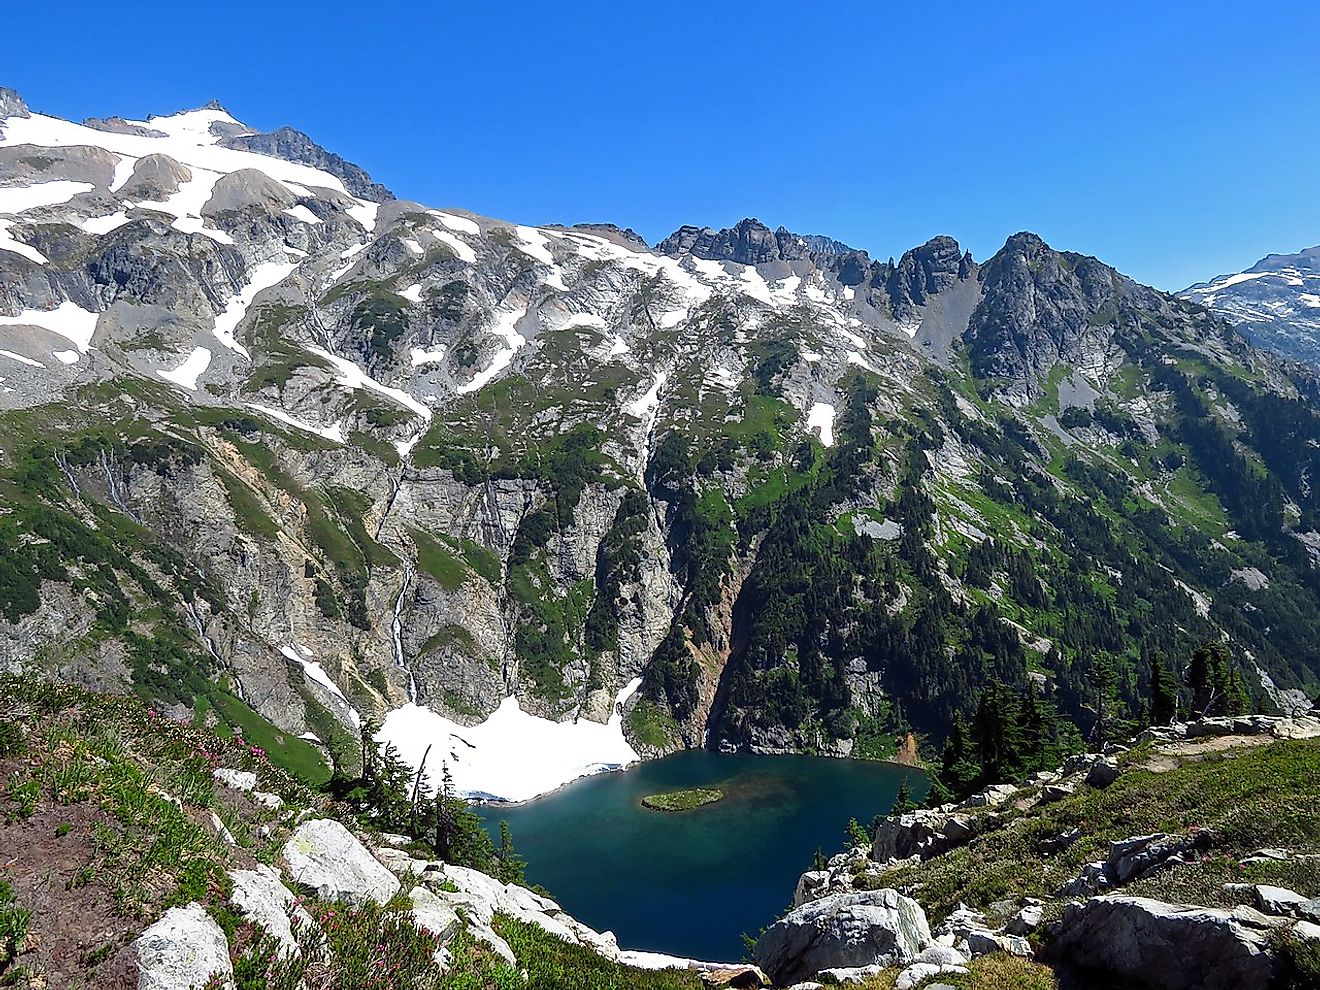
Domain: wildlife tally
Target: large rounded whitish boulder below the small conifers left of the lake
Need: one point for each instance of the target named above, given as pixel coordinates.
(324, 856)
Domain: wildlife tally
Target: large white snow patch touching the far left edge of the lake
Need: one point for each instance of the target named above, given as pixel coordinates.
(513, 756)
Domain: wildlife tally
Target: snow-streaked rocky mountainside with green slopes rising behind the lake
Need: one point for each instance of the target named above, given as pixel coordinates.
(365, 457)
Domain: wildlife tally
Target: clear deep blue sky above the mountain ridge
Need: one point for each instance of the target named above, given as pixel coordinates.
(1173, 141)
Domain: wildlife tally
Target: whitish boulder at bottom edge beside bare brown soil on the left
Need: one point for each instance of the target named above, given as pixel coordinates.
(184, 951)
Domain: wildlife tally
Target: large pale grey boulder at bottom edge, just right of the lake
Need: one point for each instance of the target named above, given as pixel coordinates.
(844, 931)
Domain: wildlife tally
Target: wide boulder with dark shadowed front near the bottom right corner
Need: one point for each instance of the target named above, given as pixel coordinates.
(1177, 947)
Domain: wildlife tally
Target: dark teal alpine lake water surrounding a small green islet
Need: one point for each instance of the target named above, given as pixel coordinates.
(692, 884)
